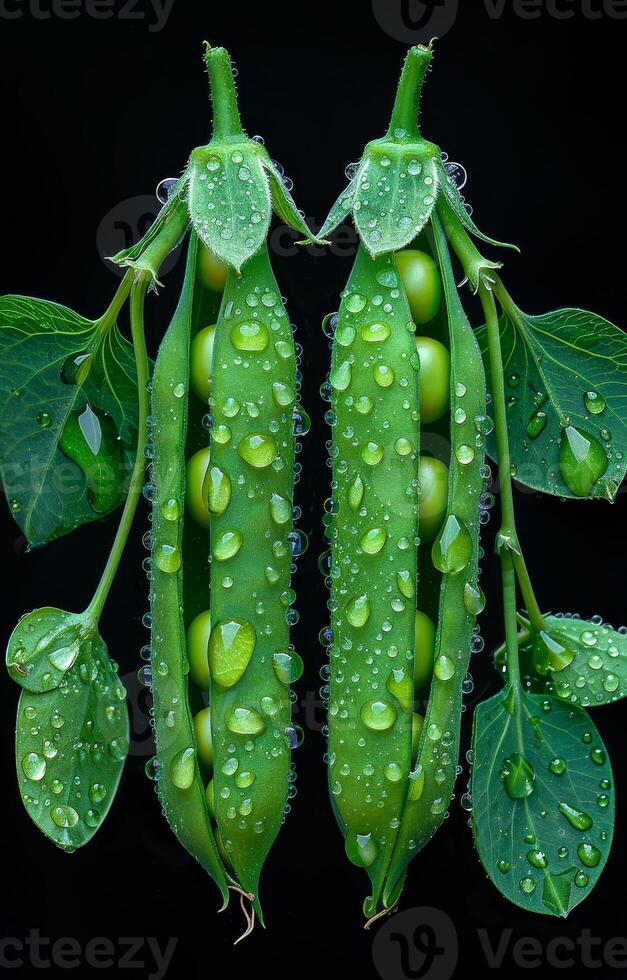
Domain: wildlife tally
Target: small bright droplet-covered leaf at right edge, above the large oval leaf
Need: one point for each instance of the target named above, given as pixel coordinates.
(595, 671)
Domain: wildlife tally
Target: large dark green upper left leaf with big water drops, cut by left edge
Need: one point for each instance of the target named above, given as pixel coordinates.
(68, 416)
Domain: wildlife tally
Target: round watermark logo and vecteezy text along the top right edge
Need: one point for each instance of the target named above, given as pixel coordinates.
(415, 21)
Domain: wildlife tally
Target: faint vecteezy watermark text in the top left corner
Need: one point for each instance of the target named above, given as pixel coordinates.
(154, 12)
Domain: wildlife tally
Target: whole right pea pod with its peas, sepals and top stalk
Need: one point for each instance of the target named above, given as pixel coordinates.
(404, 514)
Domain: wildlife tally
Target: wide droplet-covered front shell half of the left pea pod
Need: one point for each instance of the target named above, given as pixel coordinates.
(250, 491)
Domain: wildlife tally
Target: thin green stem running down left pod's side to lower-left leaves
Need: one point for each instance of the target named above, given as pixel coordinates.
(138, 296)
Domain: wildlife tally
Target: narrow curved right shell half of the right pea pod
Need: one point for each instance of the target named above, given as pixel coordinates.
(456, 557)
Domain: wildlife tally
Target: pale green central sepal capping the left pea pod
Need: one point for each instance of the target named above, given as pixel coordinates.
(229, 199)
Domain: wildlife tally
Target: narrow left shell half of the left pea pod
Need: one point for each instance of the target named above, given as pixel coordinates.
(179, 783)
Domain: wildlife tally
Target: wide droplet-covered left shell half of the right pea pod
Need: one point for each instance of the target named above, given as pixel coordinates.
(375, 502)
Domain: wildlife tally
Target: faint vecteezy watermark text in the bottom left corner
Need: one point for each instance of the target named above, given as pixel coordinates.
(143, 953)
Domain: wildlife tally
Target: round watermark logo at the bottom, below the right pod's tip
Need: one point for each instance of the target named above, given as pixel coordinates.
(415, 945)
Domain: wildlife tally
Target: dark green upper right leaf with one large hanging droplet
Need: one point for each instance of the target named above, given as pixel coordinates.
(566, 386)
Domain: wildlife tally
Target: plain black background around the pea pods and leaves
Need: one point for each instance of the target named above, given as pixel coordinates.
(94, 113)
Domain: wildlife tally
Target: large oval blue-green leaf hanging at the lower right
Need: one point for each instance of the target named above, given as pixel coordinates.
(543, 801)
